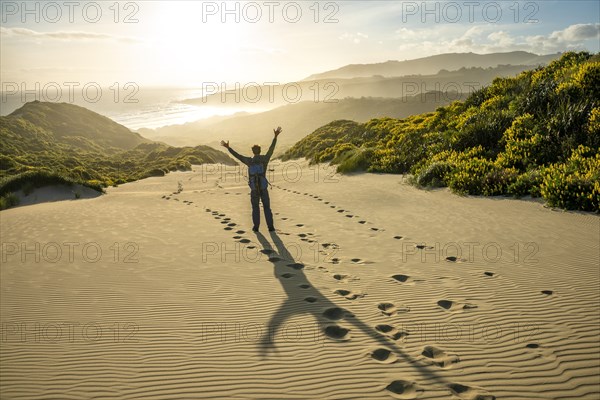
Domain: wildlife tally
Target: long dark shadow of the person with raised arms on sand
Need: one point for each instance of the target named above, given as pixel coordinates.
(325, 311)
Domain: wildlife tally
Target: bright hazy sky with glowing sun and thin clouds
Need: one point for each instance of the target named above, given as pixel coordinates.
(187, 43)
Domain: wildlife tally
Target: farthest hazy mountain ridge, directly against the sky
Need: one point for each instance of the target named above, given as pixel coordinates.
(433, 64)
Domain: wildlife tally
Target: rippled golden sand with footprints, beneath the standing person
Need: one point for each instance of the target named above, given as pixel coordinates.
(181, 304)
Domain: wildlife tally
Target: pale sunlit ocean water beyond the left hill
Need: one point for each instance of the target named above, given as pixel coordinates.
(142, 108)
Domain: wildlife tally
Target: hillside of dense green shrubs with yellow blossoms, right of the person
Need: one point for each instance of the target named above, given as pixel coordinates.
(535, 134)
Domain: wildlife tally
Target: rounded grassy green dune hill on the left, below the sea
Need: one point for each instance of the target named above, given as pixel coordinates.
(43, 143)
